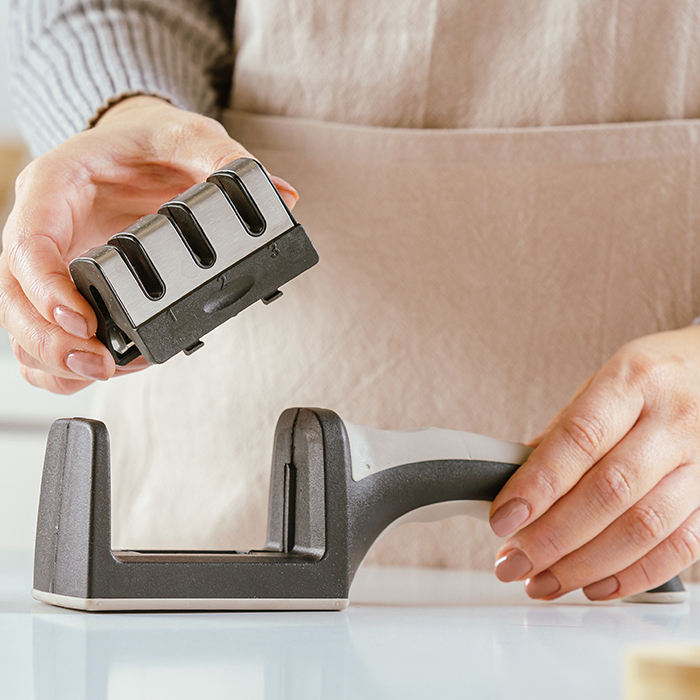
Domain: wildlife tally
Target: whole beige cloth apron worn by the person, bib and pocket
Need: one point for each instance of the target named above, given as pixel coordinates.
(470, 278)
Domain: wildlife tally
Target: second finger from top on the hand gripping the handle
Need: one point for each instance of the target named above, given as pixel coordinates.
(626, 474)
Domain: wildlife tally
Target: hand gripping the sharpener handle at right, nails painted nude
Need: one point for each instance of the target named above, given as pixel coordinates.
(609, 500)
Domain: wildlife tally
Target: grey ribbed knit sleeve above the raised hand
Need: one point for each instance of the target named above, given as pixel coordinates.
(71, 59)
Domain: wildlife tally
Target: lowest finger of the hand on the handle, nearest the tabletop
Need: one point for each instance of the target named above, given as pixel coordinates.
(674, 554)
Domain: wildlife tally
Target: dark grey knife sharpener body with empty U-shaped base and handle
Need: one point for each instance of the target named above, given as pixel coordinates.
(335, 488)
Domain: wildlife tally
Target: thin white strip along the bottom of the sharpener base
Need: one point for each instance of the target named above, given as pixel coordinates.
(173, 604)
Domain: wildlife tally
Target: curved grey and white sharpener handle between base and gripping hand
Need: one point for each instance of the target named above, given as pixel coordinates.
(395, 476)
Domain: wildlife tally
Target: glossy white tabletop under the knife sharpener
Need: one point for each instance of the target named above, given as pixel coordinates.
(406, 634)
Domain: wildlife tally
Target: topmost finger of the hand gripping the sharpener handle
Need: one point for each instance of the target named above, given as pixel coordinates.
(588, 430)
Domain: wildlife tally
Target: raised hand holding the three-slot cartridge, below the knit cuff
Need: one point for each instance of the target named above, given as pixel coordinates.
(142, 152)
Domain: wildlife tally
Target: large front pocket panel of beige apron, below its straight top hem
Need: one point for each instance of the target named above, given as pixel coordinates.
(469, 279)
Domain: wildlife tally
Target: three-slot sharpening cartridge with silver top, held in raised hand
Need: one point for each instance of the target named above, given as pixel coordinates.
(161, 284)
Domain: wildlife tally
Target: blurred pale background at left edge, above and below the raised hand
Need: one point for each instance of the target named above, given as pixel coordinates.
(25, 413)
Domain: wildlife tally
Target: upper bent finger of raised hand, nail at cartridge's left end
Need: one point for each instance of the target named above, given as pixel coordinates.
(36, 240)
